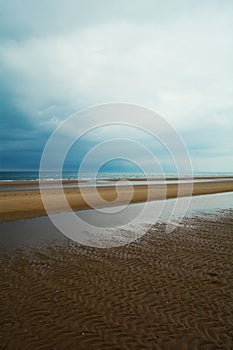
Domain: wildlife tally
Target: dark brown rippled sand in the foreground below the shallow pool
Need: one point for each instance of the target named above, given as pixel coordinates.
(165, 291)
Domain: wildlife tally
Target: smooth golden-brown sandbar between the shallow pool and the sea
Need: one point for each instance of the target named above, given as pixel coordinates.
(22, 204)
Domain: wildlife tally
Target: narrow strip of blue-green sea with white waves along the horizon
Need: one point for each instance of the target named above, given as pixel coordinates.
(91, 177)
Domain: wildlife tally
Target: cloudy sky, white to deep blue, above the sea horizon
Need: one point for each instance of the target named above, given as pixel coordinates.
(173, 56)
